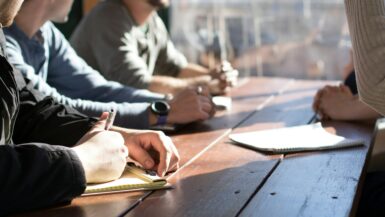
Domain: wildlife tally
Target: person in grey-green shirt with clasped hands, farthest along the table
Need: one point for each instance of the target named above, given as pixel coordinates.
(127, 42)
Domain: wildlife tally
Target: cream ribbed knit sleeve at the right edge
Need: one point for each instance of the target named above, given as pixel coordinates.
(367, 28)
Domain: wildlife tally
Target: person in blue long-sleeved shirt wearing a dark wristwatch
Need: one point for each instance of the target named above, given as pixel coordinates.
(44, 56)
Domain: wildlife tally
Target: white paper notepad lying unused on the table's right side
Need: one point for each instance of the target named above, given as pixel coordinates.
(294, 139)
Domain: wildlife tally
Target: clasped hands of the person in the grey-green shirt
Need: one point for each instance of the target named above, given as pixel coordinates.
(223, 77)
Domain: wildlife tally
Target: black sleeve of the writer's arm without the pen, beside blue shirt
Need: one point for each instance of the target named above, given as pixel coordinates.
(46, 121)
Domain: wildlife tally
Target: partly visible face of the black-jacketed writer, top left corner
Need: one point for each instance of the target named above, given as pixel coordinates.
(8, 11)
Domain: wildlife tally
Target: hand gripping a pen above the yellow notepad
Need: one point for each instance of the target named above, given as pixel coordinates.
(102, 153)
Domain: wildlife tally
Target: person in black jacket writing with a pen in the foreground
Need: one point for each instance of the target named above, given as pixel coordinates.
(49, 151)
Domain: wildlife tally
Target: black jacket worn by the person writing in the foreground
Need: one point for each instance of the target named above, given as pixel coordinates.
(37, 168)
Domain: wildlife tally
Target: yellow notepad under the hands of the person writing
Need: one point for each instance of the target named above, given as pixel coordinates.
(133, 178)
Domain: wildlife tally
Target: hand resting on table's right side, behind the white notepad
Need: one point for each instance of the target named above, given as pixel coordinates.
(334, 102)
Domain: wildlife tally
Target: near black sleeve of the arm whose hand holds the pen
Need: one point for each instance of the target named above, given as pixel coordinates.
(38, 175)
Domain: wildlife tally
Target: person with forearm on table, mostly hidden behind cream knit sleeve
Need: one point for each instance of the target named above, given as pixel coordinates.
(342, 102)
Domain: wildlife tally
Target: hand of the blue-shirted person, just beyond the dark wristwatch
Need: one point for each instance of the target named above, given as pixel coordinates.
(189, 106)
